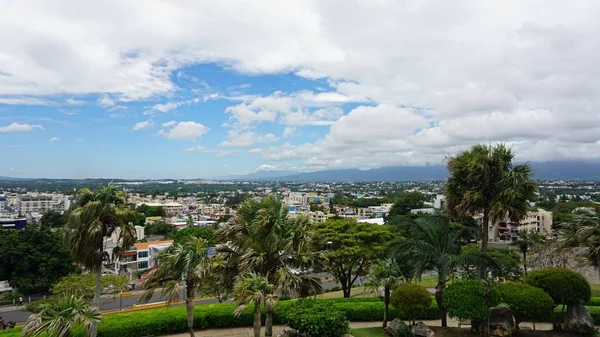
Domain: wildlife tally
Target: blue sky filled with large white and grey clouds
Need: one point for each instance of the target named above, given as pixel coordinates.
(201, 89)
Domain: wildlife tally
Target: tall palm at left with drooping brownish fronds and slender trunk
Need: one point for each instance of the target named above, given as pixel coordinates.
(95, 216)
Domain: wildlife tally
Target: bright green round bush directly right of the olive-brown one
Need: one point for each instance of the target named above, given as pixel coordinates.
(467, 300)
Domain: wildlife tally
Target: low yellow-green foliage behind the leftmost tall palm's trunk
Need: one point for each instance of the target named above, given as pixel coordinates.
(82, 285)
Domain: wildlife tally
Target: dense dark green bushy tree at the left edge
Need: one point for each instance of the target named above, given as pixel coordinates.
(33, 259)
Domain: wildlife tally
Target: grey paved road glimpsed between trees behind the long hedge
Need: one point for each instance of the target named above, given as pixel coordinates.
(17, 315)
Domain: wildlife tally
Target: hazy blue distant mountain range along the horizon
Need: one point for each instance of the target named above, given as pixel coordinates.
(573, 170)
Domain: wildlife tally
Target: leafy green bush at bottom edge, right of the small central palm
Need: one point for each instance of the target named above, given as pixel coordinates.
(316, 319)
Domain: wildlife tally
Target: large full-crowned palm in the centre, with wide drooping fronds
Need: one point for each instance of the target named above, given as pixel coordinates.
(261, 238)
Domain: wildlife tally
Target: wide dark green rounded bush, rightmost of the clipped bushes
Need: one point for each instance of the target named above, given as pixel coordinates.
(563, 285)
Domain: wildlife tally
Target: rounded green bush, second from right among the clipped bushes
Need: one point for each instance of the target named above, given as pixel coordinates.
(527, 302)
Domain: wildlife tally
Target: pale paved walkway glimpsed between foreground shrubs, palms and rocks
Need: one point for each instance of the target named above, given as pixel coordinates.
(248, 332)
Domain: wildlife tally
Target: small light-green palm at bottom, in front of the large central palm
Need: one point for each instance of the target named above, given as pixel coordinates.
(255, 289)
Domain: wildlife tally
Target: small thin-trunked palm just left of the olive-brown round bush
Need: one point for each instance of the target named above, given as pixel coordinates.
(386, 274)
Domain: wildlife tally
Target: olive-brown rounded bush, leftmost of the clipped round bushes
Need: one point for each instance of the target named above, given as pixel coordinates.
(412, 300)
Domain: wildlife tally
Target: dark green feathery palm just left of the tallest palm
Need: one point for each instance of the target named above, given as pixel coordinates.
(434, 246)
